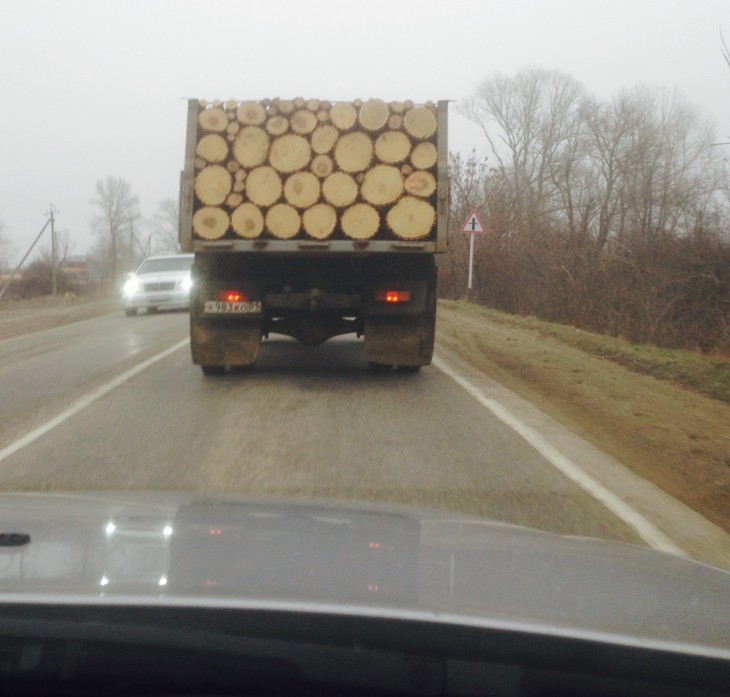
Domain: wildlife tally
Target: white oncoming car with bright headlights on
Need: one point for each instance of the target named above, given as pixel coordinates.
(160, 282)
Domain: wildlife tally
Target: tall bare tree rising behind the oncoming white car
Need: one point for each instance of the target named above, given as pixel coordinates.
(117, 212)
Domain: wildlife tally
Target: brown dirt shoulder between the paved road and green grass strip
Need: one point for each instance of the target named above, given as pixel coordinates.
(675, 437)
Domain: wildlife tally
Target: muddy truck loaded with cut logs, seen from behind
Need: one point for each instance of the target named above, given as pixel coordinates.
(313, 219)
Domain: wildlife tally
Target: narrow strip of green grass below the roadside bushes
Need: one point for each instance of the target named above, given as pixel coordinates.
(706, 374)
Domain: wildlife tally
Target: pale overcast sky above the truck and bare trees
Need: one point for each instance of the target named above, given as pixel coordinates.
(95, 88)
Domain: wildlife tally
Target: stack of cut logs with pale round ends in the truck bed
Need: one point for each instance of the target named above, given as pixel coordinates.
(312, 168)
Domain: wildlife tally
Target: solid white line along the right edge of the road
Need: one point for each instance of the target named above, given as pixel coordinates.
(645, 529)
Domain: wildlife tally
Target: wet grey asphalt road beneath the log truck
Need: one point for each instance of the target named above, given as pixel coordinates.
(96, 406)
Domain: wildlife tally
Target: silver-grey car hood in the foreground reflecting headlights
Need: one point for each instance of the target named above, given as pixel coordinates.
(356, 558)
